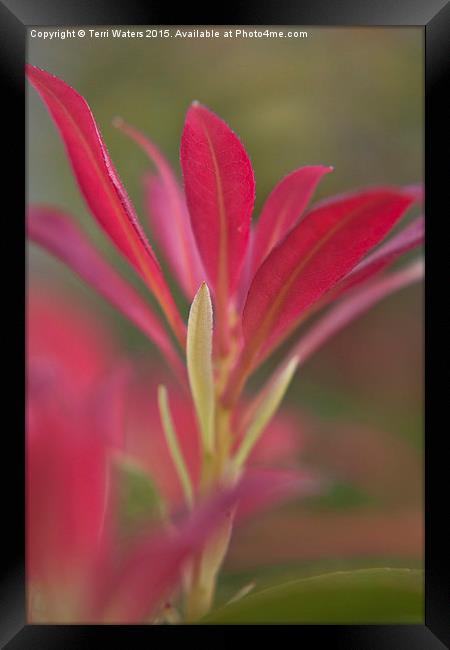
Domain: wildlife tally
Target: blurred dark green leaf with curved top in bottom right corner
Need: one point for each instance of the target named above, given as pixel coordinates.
(365, 596)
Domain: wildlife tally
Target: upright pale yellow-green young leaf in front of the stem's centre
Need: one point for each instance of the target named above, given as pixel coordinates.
(199, 363)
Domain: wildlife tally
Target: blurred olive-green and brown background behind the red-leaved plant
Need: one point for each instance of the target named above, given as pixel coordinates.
(352, 98)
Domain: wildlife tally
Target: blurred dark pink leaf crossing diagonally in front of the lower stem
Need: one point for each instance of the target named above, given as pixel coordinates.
(152, 569)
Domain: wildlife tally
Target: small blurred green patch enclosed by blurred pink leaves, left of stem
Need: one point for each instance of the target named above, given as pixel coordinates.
(139, 499)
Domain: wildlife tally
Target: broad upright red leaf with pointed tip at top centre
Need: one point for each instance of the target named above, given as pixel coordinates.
(220, 192)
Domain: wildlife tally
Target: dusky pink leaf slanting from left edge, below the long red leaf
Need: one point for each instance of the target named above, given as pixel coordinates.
(55, 231)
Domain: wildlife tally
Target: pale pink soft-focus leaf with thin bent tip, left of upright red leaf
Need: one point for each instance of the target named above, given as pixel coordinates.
(169, 216)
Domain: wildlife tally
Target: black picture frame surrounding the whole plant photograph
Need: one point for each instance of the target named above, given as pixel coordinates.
(434, 17)
